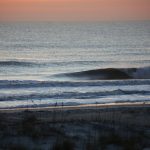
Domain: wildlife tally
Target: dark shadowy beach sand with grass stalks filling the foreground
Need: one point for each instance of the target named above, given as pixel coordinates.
(85, 127)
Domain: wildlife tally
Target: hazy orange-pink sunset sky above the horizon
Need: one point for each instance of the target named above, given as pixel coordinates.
(74, 10)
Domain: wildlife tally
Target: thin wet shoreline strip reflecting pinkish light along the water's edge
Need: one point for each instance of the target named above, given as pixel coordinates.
(77, 107)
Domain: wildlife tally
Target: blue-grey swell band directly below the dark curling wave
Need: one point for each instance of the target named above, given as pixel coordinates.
(13, 84)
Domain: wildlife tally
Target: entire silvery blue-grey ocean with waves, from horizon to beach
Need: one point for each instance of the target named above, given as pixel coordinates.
(44, 64)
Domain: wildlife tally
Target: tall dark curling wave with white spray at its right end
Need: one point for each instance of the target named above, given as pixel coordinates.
(110, 74)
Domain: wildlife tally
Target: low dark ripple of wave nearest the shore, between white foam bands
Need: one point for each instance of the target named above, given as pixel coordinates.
(71, 95)
